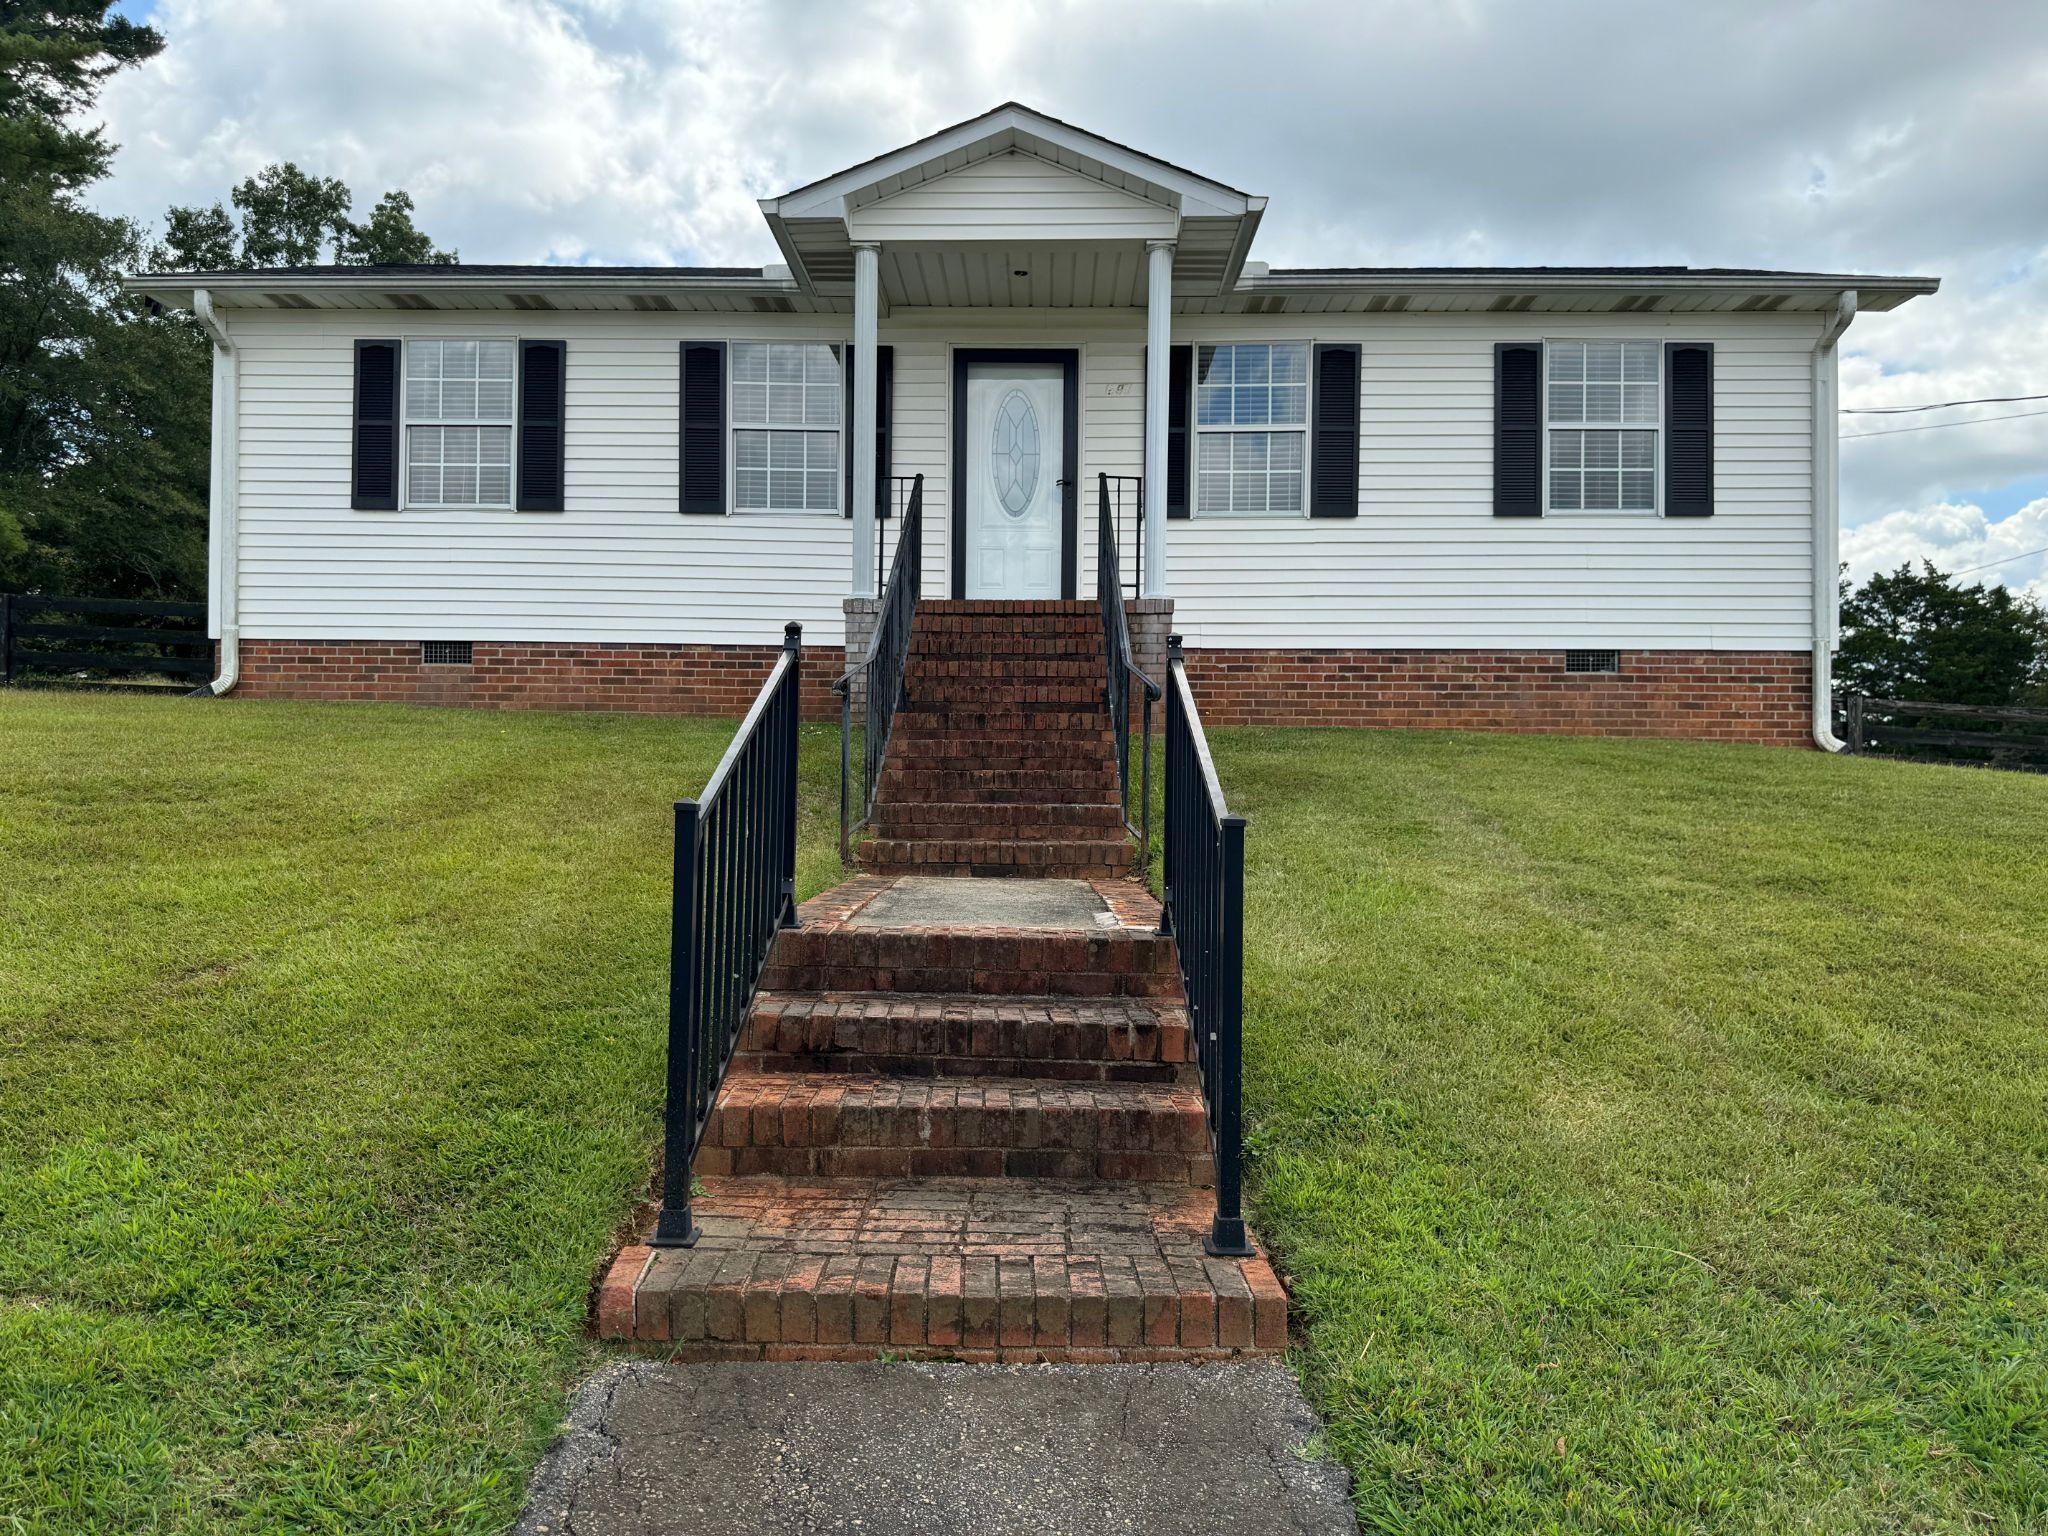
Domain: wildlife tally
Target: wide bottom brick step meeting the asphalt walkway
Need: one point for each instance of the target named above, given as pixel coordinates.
(955, 1269)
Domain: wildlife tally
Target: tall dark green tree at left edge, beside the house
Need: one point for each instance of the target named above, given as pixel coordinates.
(103, 445)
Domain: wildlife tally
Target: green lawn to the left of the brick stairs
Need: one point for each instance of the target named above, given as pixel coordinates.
(331, 1056)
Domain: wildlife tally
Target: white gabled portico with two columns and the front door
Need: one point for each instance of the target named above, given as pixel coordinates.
(1013, 212)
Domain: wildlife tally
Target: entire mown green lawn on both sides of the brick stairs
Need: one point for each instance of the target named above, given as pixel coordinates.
(1656, 1138)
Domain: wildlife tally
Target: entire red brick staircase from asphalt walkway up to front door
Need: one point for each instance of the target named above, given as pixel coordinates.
(964, 1117)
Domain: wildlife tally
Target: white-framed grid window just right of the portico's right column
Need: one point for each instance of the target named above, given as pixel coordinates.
(1250, 427)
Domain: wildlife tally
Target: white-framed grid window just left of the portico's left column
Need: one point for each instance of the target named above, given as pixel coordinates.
(785, 427)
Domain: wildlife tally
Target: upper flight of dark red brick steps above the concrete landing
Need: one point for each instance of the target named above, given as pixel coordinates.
(1000, 763)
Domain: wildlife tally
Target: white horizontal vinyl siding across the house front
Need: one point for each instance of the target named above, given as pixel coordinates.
(1424, 564)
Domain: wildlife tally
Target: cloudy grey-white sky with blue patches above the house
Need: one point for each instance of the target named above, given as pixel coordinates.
(1881, 136)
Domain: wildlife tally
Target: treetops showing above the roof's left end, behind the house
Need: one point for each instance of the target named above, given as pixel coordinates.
(296, 220)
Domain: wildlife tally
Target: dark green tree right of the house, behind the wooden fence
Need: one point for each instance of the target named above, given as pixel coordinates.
(1916, 634)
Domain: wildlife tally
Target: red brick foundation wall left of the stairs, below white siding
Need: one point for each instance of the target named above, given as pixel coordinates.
(536, 675)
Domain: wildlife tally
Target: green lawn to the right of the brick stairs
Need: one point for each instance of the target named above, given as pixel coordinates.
(1654, 1136)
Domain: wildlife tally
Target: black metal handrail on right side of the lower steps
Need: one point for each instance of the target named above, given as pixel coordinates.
(1205, 912)
